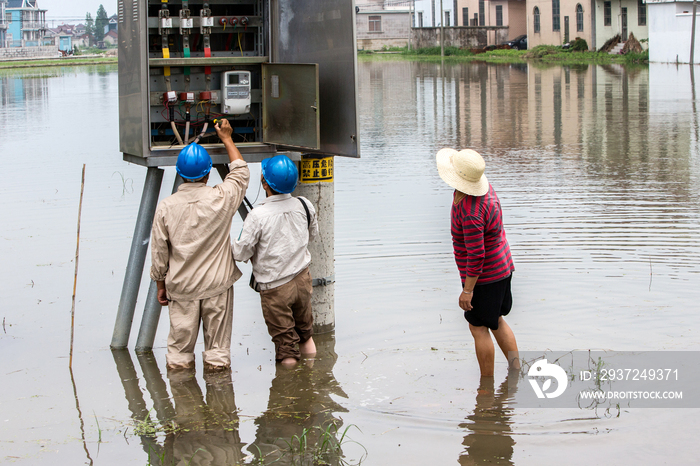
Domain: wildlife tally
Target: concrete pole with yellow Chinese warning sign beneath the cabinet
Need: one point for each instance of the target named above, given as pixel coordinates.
(316, 185)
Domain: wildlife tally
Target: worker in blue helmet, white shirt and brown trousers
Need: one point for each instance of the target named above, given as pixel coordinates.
(275, 238)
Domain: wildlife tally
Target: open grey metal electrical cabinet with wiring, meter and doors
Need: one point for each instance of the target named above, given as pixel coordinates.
(283, 72)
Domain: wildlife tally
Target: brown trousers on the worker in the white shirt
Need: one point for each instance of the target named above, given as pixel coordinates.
(287, 313)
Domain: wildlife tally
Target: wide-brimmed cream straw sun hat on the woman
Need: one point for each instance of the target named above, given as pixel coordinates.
(463, 170)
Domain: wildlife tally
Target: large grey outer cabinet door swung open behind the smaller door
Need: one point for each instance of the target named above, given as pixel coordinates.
(323, 32)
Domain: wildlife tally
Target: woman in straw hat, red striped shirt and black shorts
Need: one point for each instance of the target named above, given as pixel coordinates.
(482, 254)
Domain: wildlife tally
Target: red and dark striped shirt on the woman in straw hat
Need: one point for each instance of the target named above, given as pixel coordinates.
(479, 239)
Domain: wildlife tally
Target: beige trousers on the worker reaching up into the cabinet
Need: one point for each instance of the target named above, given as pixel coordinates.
(216, 315)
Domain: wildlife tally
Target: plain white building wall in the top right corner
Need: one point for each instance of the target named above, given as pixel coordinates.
(669, 32)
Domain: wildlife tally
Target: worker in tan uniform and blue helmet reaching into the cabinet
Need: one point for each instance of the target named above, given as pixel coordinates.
(191, 255)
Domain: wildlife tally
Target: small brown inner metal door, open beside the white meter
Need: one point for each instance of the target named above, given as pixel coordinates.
(290, 106)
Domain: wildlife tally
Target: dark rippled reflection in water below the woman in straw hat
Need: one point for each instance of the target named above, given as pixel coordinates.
(489, 439)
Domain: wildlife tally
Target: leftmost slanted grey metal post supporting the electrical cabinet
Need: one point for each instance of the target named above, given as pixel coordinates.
(137, 258)
